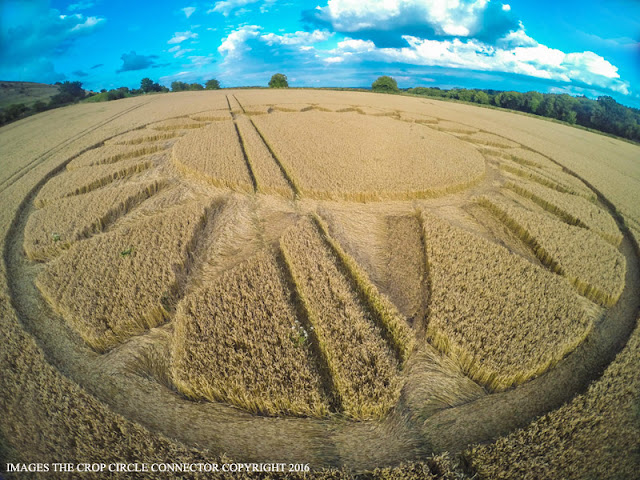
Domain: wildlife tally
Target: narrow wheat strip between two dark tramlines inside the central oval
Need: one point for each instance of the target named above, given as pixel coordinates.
(269, 176)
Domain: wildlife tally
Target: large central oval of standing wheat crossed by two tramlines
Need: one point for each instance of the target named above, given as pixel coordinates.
(329, 155)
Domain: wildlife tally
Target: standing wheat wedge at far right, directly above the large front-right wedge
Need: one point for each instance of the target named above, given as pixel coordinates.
(597, 269)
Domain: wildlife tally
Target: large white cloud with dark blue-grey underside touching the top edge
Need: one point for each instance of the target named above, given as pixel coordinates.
(386, 23)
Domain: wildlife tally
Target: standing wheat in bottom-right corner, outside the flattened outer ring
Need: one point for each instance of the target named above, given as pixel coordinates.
(594, 436)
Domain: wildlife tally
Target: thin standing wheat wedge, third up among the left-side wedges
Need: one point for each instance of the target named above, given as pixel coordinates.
(86, 179)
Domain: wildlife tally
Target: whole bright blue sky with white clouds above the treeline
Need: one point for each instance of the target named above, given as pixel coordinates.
(578, 47)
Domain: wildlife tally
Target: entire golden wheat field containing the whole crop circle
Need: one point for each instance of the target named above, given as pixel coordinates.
(346, 279)
